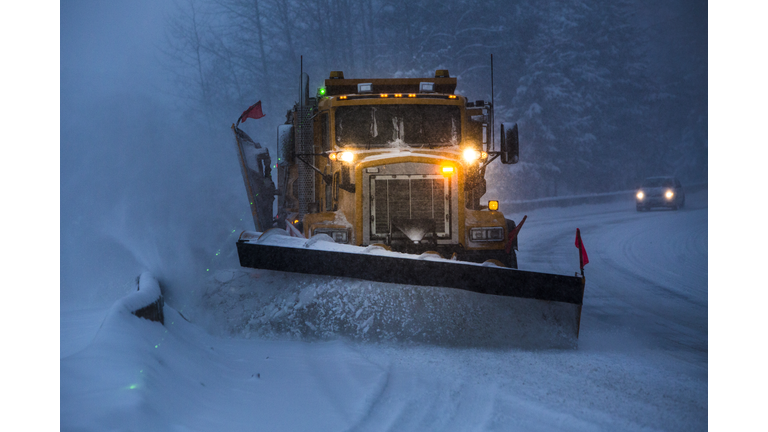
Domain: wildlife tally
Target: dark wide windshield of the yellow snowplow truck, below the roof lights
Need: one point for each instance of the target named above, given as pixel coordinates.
(376, 126)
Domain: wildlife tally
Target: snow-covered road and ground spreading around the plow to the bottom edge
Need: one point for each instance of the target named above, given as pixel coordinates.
(641, 363)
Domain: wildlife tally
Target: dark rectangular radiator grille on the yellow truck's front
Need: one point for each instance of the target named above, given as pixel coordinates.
(409, 197)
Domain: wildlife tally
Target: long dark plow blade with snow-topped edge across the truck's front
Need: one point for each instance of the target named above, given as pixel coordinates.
(298, 255)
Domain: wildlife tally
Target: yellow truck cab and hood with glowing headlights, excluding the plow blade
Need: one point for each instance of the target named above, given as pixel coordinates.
(395, 162)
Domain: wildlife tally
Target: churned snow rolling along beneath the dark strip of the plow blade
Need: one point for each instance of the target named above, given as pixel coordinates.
(267, 304)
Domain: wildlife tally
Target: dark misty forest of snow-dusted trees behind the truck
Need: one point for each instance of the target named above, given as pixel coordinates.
(597, 110)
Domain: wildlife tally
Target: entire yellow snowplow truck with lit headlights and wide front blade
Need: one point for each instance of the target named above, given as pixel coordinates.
(396, 166)
